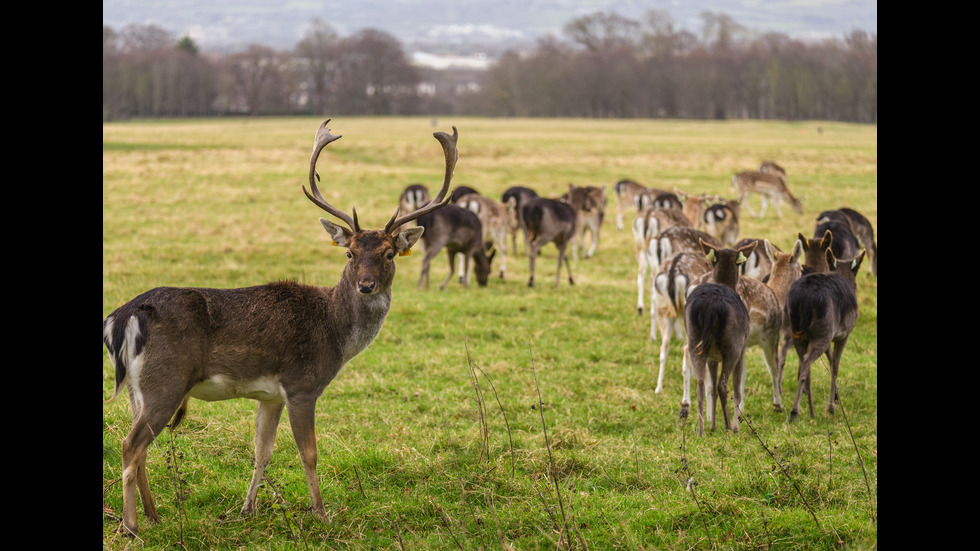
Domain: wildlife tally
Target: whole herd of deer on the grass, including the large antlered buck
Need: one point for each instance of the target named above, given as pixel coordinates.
(282, 343)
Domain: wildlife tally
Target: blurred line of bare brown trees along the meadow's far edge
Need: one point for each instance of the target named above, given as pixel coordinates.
(603, 65)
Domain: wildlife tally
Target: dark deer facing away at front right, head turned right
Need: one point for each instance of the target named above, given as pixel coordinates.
(822, 309)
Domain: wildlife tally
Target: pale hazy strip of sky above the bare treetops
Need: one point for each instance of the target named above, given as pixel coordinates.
(280, 24)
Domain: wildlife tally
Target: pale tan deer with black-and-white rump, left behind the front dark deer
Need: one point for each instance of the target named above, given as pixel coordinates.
(669, 295)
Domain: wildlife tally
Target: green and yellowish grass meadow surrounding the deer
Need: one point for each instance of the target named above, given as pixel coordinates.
(497, 417)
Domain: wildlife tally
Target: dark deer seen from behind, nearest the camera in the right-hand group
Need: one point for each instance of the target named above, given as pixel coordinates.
(718, 326)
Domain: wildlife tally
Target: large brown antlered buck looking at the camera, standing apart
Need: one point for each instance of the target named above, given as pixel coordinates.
(280, 344)
